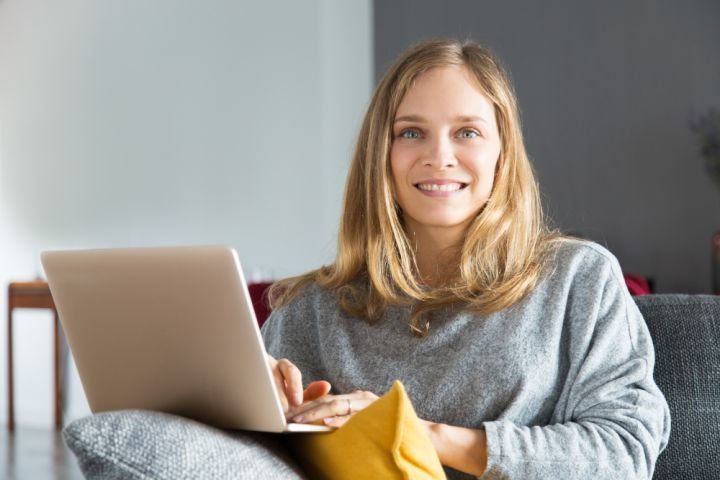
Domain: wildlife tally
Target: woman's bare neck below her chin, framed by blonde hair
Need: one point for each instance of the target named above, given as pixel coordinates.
(437, 251)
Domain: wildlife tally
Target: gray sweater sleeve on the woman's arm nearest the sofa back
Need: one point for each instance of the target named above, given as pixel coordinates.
(612, 421)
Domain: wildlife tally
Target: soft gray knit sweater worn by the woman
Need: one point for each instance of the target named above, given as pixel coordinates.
(562, 381)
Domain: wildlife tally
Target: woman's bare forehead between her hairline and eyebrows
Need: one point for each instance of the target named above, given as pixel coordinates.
(443, 91)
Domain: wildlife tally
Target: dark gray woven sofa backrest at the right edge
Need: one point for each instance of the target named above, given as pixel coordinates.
(686, 332)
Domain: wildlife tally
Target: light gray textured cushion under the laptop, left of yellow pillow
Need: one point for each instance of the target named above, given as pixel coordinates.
(136, 444)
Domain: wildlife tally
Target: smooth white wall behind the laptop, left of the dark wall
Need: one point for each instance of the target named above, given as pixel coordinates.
(142, 123)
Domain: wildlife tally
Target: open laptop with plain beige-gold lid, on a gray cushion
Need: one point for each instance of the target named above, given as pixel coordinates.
(167, 329)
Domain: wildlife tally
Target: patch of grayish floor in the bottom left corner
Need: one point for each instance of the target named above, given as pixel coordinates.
(36, 454)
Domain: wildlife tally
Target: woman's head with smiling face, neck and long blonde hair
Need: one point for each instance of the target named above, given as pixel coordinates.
(493, 249)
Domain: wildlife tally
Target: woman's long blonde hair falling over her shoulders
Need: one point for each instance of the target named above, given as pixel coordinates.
(501, 258)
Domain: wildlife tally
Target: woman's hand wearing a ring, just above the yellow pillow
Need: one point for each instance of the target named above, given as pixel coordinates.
(333, 410)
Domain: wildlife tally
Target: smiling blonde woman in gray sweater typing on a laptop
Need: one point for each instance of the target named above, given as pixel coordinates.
(521, 350)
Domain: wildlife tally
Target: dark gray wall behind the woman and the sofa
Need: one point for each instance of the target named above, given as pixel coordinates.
(605, 90)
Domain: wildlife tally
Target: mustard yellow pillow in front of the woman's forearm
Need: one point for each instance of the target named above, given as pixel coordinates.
(384, 440)
